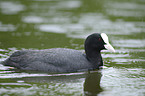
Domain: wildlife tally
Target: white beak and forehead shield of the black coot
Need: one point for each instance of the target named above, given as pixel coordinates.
(107, 45)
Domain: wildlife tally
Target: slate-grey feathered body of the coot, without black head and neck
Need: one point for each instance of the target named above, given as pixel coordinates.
(51, 60)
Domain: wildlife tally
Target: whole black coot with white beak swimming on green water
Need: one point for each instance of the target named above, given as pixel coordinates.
(62, 59)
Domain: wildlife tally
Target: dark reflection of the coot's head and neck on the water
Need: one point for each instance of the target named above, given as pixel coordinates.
(92, 84)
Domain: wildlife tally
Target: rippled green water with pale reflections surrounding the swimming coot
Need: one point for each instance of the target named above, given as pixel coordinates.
(42, 24)
